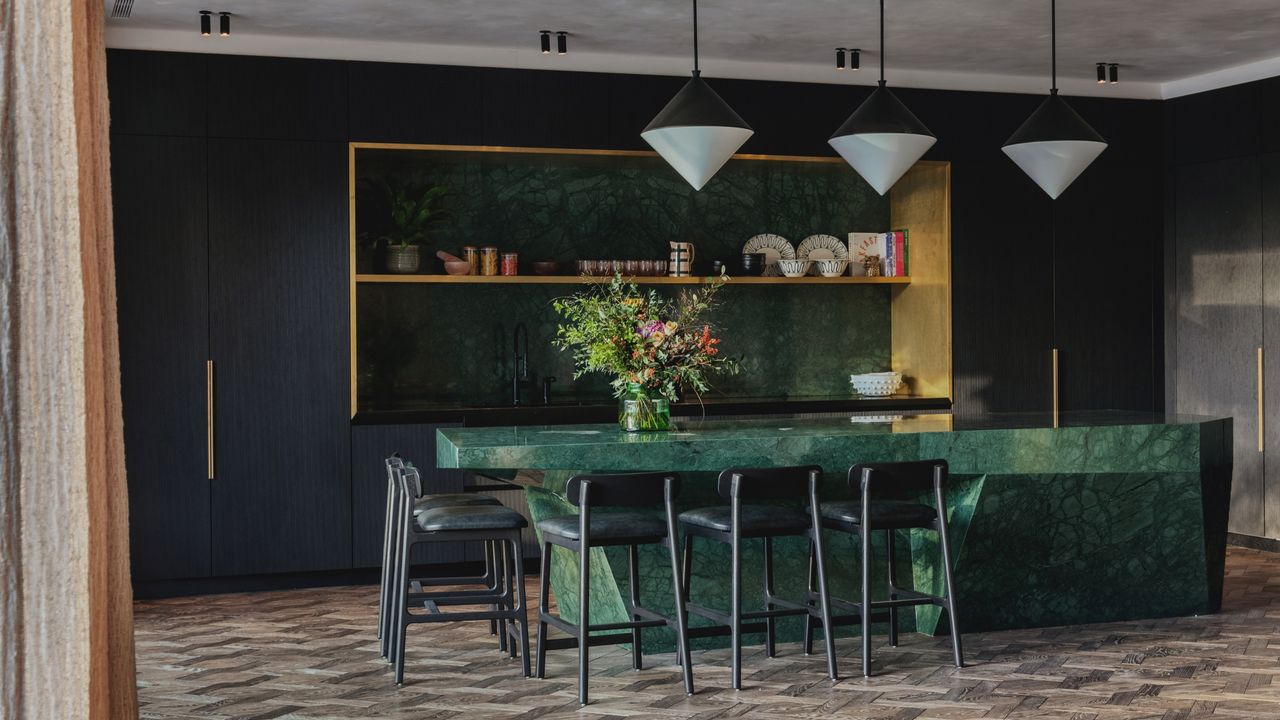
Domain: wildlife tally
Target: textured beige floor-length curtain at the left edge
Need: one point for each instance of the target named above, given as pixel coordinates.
(67, 630)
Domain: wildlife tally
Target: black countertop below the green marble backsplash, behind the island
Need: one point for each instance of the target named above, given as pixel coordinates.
(600, 411)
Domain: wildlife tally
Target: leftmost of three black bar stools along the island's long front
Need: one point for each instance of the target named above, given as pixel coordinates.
(580, 534)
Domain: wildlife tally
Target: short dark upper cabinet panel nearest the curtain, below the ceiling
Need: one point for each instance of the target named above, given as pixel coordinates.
(157, 93)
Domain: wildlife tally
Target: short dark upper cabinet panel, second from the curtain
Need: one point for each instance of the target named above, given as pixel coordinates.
(277, 98)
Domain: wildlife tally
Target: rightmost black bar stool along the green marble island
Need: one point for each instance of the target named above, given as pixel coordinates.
(888, 495)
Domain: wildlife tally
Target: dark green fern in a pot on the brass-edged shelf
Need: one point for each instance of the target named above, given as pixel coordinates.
(414, 209)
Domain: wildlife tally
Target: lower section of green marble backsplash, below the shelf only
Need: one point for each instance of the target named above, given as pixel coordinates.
(454, 344)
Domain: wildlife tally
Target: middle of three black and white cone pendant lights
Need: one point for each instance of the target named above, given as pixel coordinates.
(883, 139)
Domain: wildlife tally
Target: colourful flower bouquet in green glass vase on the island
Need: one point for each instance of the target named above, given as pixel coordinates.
(653, 347)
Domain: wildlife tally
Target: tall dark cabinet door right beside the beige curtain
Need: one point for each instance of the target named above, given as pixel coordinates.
(162, 279)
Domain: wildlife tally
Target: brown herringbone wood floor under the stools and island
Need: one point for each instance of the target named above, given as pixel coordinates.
(312, 654)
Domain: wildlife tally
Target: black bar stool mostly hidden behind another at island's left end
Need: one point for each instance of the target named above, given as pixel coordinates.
(391, 545)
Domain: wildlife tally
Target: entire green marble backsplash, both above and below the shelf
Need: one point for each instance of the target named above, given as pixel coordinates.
(423, 344)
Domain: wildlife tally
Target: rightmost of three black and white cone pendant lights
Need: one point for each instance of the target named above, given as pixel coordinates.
(1055, 144)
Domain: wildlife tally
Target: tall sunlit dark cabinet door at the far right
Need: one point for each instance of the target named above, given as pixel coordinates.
(1219, 288)
